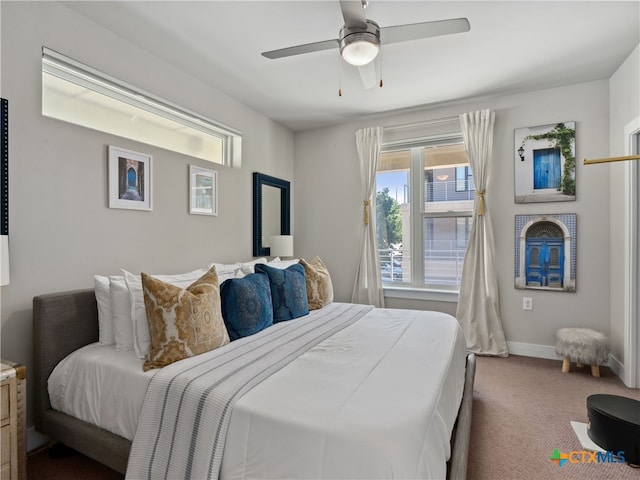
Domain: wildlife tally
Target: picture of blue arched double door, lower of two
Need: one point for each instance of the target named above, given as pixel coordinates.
(545, 252)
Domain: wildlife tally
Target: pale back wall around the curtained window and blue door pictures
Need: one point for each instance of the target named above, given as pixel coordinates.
(329, 205)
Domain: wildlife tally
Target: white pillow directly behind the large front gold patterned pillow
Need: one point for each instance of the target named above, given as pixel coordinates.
(140, 326)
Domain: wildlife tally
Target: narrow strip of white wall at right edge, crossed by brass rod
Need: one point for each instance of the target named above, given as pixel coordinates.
(624, 101)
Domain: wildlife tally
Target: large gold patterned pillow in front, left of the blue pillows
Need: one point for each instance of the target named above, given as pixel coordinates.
(182, 322)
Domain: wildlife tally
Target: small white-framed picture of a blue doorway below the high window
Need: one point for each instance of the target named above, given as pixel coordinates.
(129, 179)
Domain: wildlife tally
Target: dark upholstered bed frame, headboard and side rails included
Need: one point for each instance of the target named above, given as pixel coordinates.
(66, 321)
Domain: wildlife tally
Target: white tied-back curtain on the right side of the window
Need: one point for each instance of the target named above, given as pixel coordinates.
(478, 304)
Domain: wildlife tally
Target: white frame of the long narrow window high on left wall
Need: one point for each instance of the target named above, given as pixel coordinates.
(72, 71)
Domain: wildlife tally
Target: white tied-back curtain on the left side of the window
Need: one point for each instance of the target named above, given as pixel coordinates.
(368, 284)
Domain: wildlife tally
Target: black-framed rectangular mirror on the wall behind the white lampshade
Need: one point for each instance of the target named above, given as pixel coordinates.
(271, 211)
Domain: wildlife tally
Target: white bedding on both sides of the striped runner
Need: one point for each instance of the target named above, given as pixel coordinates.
(376, 400)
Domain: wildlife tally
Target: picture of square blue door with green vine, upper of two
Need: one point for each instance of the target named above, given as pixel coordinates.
(545, 163)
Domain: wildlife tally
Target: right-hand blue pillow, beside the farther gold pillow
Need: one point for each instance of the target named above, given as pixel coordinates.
(288, 291)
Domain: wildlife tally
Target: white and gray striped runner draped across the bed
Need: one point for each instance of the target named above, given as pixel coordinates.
(187, 408)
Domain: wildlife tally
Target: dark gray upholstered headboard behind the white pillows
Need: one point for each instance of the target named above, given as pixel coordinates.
(62, 323)
